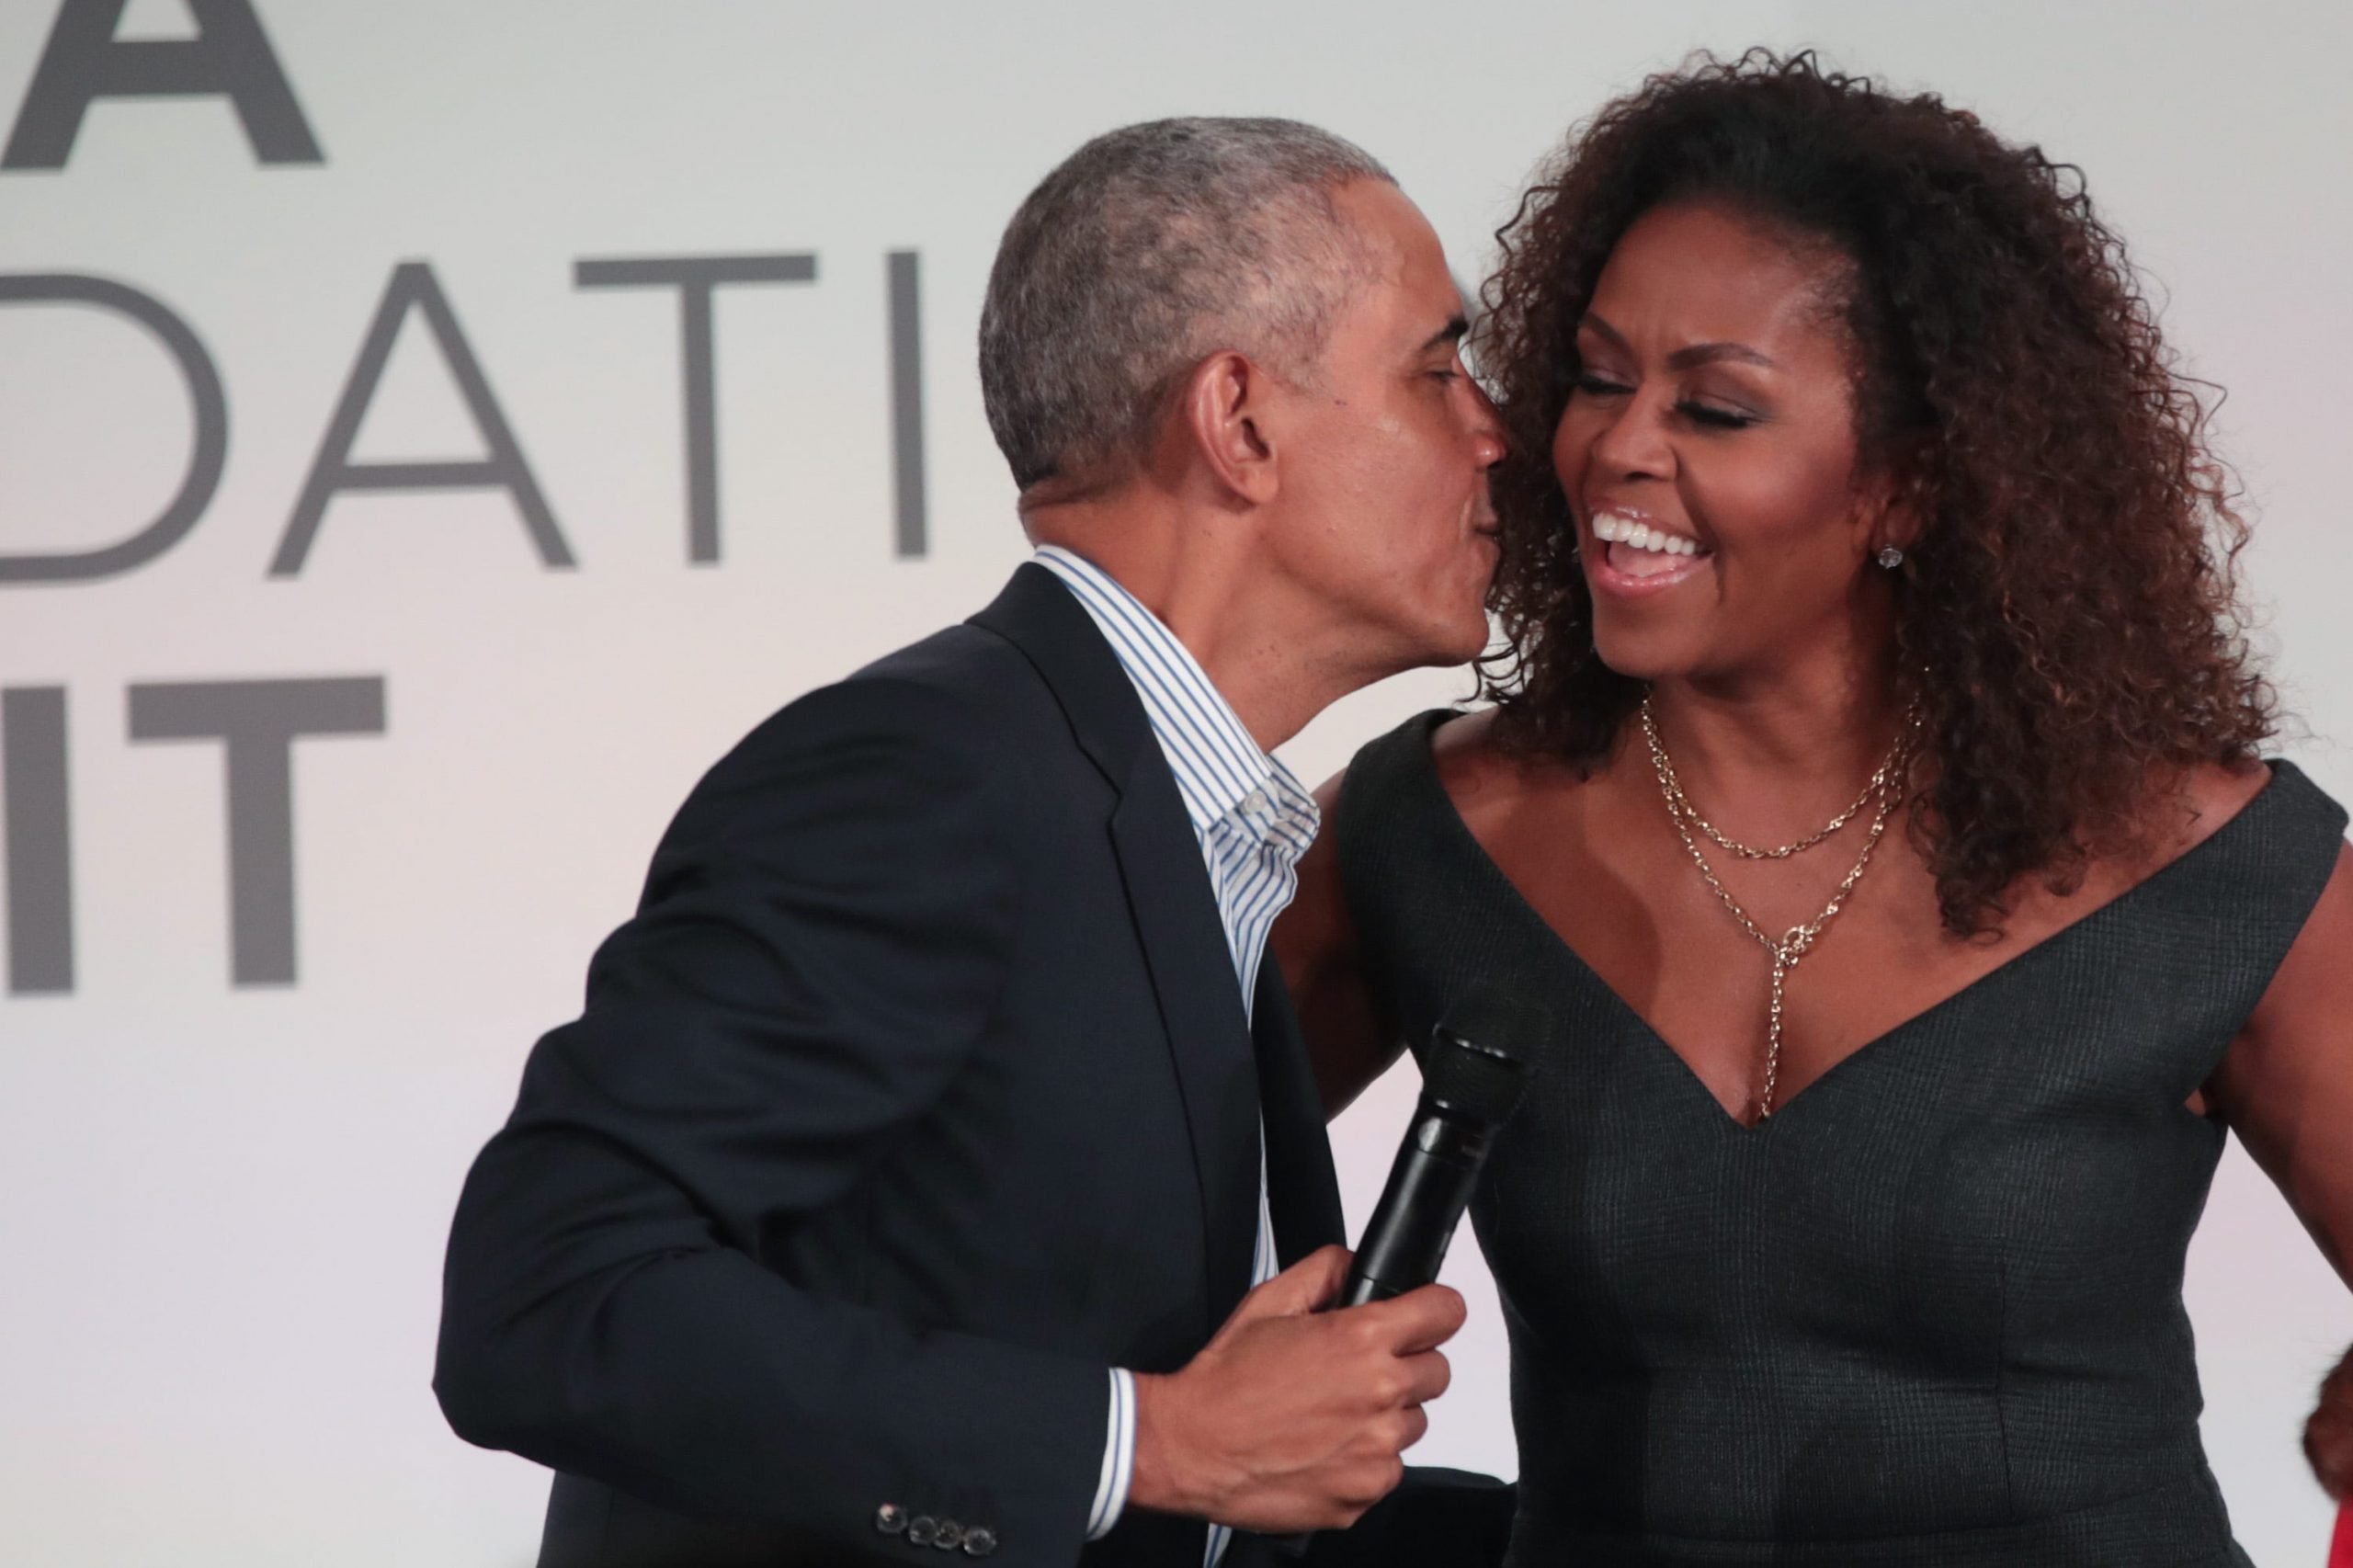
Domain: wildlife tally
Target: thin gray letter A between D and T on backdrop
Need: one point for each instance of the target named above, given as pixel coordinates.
(415, 288)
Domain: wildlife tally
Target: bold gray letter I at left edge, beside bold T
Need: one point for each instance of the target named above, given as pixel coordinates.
(39, 856)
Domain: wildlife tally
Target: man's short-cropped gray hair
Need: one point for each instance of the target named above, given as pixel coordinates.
(1149, 251)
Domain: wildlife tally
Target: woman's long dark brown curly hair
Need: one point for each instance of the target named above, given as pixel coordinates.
(2067, 613)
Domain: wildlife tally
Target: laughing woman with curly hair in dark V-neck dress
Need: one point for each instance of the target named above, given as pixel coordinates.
(1872, 797)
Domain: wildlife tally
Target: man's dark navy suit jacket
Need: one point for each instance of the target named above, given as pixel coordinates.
(914, 1098)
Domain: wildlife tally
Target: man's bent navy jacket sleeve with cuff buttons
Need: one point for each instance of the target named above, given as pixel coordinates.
(825, 936)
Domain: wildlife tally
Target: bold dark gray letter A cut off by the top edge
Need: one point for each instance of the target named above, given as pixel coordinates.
(227, 58)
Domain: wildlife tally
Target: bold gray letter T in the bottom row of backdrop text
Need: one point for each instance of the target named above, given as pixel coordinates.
(258, 724)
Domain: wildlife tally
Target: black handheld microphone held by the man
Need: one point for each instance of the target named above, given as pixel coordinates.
(1472, 1082)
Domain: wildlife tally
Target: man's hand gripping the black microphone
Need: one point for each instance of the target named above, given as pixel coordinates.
(1288, 1418)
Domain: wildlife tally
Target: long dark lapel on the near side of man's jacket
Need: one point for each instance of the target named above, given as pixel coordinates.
(1173, 910)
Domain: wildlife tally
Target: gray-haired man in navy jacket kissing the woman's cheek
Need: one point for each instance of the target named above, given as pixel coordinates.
(902, 1185)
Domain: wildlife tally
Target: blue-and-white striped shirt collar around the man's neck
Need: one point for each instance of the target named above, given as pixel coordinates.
(1220, 769)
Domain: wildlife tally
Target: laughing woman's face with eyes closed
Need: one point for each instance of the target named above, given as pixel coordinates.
(1709, 456)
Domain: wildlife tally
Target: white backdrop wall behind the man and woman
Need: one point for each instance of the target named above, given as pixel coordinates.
(222, 1207)
